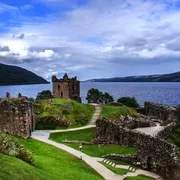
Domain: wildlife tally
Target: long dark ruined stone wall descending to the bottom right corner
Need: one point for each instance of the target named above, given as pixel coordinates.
(163, 155)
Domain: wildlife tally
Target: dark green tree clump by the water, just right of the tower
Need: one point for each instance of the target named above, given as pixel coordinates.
(96, 96)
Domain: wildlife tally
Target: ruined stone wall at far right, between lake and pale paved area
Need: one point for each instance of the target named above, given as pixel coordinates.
(161, 111)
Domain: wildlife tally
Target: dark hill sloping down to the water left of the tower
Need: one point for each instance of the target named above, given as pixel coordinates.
(13, 75)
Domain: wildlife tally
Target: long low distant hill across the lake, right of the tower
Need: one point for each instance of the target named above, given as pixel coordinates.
(173, 77)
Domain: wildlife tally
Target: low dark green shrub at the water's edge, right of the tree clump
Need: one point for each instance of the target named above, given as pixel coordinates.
(129, 101)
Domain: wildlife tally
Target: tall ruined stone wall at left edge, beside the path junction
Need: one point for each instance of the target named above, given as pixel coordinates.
(17, 117)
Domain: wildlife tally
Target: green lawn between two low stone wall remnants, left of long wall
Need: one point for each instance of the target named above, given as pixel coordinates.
(96, 151)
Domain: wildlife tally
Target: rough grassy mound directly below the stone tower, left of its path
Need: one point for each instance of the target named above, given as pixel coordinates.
(79, 115)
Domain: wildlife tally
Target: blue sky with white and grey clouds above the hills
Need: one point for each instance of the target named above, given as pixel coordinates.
(91, 38)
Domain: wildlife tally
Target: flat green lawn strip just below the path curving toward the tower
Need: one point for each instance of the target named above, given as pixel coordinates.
(80, 135)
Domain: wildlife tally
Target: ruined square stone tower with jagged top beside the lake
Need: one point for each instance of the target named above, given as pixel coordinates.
(66, 87)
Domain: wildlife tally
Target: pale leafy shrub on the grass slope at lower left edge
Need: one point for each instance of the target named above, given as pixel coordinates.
(9, 146)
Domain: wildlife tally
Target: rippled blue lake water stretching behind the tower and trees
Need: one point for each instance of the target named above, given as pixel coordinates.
(166, 93)
